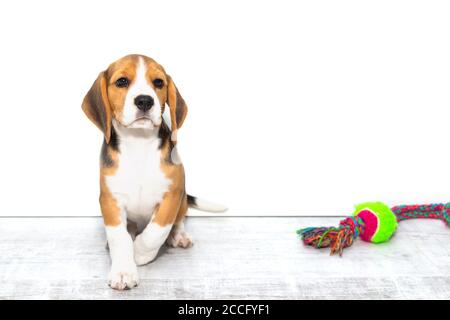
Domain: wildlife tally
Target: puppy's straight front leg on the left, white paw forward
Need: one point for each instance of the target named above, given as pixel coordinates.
(123, 274)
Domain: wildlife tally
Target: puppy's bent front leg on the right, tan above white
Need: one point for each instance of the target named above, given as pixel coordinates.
(148, 243)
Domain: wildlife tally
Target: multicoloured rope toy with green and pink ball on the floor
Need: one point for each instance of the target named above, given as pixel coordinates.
(373, 222)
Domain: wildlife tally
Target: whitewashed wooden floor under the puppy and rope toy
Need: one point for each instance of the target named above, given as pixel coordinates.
(245, 258)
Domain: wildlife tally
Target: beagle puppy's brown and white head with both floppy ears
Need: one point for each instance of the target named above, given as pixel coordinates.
(134, 91)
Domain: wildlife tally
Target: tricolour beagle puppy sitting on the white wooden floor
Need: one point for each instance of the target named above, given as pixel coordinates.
(142, 185)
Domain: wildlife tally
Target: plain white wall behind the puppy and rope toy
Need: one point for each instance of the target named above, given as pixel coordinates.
(295, 107)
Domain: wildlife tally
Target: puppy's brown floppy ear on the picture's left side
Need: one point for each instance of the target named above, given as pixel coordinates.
(97, 107)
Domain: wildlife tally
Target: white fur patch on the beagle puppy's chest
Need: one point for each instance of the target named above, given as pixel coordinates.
(139, 183)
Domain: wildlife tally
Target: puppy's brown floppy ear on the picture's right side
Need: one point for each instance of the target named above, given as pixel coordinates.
(177, 106)
